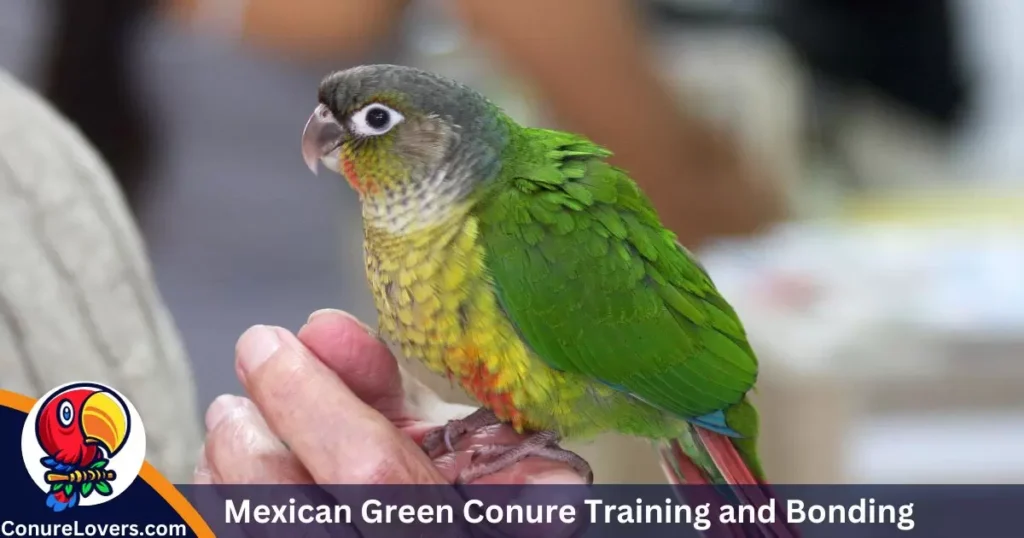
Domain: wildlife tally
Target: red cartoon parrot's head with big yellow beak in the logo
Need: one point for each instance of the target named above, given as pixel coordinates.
(75, 425)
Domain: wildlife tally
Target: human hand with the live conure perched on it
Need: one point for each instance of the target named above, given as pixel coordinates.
(332, 406)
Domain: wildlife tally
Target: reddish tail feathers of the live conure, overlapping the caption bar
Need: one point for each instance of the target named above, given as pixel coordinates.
(717, 452)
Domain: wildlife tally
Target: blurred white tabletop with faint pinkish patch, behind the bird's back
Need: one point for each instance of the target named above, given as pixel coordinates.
(833, 298)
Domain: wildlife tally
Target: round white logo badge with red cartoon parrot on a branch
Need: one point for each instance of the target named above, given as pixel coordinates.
(83, 444)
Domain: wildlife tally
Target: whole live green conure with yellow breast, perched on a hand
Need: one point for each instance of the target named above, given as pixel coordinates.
(523, 266)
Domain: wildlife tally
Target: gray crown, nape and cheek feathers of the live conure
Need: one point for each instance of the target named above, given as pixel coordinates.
(452, 141)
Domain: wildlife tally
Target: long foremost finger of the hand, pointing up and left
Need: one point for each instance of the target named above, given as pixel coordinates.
(338, 438)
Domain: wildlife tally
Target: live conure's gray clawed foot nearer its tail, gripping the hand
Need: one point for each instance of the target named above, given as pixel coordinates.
(493, 459)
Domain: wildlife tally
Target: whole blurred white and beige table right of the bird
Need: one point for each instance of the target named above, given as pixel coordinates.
(892, 339)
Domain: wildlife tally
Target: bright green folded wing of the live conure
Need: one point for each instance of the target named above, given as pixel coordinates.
(596, 285)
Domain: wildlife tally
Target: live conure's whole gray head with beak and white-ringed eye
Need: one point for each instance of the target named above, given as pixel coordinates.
(406, 140)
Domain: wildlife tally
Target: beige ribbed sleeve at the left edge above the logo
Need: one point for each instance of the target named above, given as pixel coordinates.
(77, 297)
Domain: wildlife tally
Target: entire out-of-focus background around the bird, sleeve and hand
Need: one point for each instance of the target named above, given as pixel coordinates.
(851, 173)
